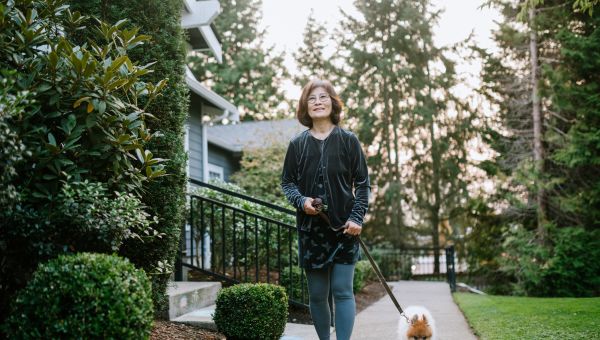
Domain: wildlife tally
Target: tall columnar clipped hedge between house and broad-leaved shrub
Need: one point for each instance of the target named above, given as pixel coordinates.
(166, 196)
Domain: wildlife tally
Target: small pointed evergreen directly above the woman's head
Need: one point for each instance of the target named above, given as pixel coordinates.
(309, 57)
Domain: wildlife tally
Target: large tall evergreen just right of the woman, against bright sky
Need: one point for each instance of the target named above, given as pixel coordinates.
(397, 87)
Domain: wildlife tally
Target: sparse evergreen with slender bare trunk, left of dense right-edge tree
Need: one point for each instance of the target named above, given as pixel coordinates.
(511, 80)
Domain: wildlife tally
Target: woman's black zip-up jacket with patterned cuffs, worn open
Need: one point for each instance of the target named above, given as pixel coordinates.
(345, 167)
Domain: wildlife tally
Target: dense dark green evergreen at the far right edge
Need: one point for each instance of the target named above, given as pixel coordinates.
(575, 88)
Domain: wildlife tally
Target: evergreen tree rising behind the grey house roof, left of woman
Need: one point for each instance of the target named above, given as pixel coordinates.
(250, 76)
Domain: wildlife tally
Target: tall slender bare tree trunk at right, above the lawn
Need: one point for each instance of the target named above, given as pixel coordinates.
(538, 151)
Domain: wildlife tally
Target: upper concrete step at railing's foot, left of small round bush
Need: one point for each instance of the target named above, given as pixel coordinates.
(187, 296)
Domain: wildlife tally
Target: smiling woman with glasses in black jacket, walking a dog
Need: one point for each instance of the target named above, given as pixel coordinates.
(326, 161)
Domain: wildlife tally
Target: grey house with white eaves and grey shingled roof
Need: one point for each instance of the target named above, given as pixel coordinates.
(215, 149)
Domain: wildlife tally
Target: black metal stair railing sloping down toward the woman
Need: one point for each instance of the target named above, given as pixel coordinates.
(236, 245)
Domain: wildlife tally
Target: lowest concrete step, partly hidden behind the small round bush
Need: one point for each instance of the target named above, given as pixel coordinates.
(203, 318)
